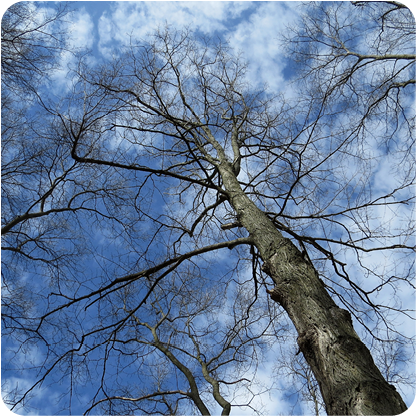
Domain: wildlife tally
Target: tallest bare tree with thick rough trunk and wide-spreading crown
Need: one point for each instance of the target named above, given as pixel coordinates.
(152, 167)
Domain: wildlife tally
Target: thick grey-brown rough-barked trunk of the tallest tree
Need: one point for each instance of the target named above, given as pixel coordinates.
(349, 380)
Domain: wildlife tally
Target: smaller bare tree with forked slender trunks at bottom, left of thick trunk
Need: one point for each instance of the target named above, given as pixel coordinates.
(185, 337)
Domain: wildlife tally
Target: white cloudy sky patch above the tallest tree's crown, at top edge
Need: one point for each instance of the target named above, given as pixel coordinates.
(252, 28)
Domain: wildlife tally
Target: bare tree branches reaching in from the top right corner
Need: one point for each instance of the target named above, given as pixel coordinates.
(360, 58)
